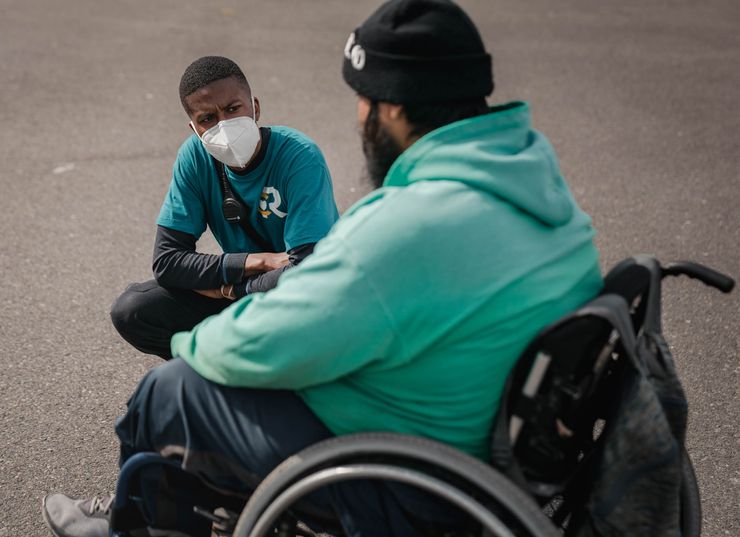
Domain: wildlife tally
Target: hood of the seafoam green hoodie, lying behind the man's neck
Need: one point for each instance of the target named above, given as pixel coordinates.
(498, 153)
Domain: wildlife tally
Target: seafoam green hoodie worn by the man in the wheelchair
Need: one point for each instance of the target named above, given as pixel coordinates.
(411, 312)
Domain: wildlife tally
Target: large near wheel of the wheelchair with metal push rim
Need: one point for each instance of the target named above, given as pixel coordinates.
(487, 497)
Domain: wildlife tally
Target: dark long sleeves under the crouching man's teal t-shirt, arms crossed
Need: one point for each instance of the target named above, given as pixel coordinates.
(176, 264)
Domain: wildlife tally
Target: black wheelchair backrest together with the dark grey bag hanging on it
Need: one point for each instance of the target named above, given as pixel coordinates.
(595, 399)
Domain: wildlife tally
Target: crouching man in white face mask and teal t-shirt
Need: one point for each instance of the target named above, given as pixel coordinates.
(265, 193)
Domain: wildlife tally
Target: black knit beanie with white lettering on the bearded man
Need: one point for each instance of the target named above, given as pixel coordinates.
(418, 51)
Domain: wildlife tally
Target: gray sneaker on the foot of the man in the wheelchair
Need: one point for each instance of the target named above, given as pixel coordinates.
(77, 518)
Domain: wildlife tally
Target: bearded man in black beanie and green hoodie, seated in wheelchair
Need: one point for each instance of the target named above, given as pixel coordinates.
(408, 316)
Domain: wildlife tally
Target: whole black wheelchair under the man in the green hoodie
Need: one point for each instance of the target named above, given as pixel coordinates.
(591, 421)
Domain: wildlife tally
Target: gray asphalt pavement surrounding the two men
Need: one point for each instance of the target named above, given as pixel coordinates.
(639, 98)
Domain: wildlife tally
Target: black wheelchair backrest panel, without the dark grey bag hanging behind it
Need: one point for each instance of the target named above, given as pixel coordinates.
(560, 393)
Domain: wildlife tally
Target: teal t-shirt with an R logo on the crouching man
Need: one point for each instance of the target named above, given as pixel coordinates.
(289, 195)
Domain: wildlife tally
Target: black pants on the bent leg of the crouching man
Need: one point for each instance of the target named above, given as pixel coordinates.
(147, 315)
